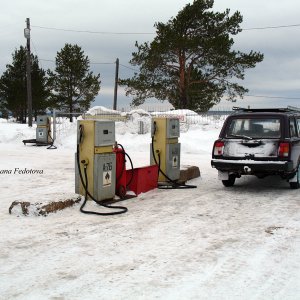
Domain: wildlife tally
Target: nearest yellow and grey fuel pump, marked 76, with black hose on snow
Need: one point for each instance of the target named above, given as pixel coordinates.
(95, 172)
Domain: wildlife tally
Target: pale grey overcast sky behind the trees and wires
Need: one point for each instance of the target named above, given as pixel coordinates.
(277, 76)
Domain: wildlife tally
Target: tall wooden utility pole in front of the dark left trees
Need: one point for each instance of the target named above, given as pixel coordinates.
(28, 72)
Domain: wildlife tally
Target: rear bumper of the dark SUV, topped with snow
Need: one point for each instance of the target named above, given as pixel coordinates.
(253, 166)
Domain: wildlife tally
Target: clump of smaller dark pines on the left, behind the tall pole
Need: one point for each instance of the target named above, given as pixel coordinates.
(71, 87)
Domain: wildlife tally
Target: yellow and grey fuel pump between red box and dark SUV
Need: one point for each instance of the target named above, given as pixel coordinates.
(165, 149)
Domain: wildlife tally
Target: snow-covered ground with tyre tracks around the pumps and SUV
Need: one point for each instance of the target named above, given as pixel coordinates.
(210, 242)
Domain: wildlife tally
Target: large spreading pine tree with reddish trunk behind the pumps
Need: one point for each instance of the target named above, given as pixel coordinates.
(190, 62)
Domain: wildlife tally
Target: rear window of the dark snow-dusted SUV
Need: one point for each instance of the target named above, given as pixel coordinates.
(254, 128)
